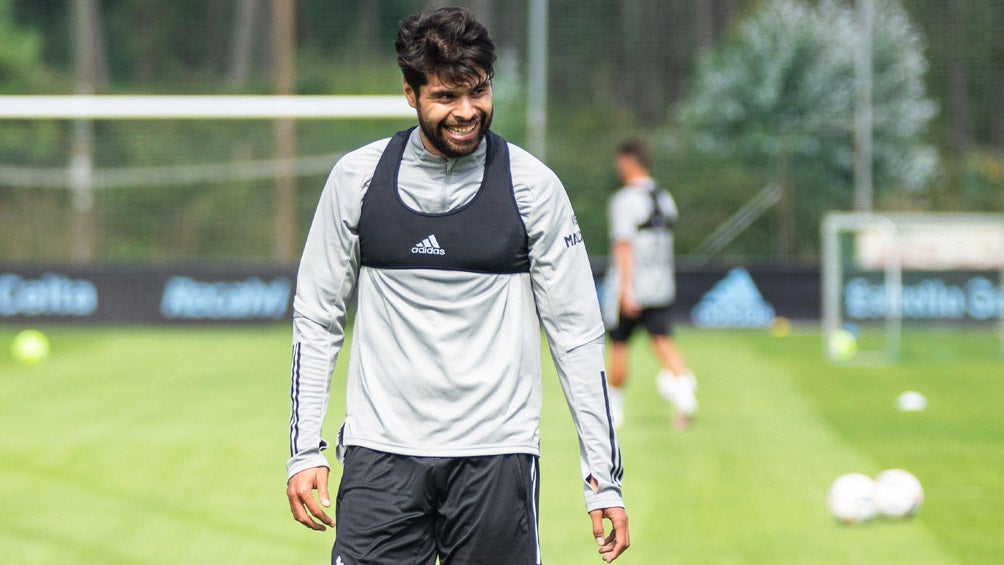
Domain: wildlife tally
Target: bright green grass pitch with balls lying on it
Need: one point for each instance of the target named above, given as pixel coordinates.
(167, 446)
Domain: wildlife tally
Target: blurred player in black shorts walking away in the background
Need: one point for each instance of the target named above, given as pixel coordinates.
(641, 282)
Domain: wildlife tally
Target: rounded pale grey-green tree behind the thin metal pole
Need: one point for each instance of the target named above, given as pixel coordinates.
(783, 89)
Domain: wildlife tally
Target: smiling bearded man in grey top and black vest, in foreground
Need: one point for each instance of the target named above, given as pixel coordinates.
(457, 246)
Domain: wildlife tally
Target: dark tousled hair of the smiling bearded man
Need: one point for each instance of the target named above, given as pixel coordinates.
(449, 44)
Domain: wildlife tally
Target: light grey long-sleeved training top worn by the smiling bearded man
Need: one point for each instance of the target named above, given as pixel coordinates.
(447, 364)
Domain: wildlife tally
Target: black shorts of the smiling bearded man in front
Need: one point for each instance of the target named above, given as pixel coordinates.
(395, 510)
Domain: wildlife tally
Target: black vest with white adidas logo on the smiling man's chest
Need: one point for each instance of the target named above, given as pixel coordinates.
(485, 235)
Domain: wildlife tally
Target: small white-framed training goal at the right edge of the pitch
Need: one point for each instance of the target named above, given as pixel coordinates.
(880, 270)
